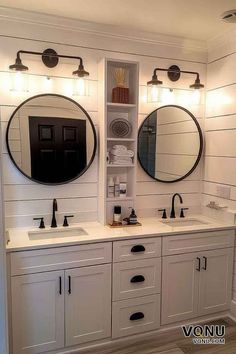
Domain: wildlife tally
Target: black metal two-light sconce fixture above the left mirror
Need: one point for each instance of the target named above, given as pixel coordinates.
(50, 58)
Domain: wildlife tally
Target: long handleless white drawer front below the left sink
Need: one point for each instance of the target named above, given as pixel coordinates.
(43, 260)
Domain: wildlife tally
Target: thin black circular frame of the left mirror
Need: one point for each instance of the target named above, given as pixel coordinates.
(89, 119)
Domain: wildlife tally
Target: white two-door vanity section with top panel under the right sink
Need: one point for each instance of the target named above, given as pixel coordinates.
(196, 283)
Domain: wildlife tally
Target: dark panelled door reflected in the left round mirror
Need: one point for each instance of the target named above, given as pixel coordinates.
(58, 148)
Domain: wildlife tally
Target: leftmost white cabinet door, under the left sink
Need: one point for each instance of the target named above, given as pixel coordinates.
(38, 312)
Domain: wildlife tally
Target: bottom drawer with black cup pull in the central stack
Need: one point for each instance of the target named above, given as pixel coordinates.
(135, 315)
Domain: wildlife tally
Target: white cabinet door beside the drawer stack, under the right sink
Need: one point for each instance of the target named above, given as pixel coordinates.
(180, 280)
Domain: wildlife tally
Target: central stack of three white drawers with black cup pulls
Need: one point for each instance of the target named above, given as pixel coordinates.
(136, 286)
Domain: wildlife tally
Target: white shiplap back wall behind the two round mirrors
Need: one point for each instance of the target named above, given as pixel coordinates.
(25, 199)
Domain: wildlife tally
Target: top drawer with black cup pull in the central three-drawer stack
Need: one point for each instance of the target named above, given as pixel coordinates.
(136, 249)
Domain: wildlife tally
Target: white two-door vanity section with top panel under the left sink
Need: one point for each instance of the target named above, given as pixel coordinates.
(54, 309)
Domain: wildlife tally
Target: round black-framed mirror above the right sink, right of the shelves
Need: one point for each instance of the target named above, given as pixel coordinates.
(170, 144)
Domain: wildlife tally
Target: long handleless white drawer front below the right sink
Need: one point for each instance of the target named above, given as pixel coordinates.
(197, 242)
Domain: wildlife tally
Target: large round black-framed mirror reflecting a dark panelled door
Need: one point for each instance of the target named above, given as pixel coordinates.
(51, 139)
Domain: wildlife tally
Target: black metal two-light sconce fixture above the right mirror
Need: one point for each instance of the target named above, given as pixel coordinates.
(174, 73)
